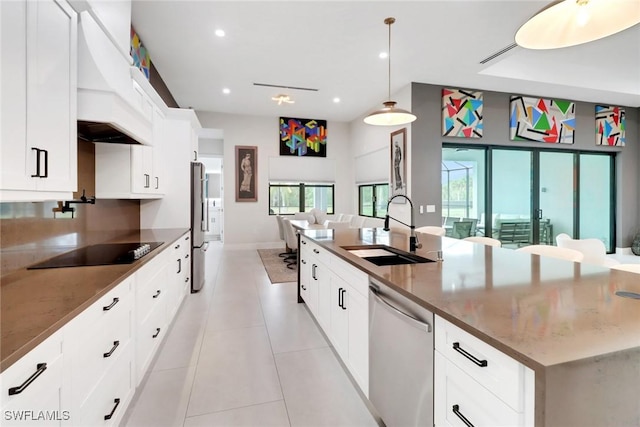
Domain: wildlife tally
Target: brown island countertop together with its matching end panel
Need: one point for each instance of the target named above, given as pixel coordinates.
(562, 320)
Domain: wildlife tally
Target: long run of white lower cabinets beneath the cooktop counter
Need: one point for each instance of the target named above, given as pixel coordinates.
(86, 373)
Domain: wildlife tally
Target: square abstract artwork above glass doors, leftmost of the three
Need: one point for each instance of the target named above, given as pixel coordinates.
(462, 113)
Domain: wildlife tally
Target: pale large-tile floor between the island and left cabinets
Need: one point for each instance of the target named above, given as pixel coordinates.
(243, 352)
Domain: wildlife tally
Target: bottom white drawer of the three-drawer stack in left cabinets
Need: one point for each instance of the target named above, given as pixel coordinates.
(117, 383)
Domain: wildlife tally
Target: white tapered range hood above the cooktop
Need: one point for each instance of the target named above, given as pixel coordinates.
(110, 109)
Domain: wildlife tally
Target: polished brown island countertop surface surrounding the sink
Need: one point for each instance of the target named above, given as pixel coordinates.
(541, 311)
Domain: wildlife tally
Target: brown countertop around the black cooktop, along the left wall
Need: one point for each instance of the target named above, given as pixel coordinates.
(36, 303)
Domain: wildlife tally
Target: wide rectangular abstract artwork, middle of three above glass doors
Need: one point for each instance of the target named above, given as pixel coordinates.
(542, 120)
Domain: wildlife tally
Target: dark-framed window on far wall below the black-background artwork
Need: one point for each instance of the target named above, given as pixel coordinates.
(289, 198)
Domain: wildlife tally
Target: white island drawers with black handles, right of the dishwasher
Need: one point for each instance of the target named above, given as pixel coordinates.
(476, 384)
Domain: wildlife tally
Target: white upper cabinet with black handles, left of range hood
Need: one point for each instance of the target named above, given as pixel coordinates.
(39, 80)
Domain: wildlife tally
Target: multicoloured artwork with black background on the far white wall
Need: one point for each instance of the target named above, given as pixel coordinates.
(303, 137)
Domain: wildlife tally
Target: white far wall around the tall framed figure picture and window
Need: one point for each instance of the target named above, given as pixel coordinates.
(248, 224)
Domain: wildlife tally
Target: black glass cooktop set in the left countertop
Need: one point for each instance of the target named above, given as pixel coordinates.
(101, 254)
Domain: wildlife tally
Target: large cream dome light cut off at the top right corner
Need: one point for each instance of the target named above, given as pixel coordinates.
(573, 22)
